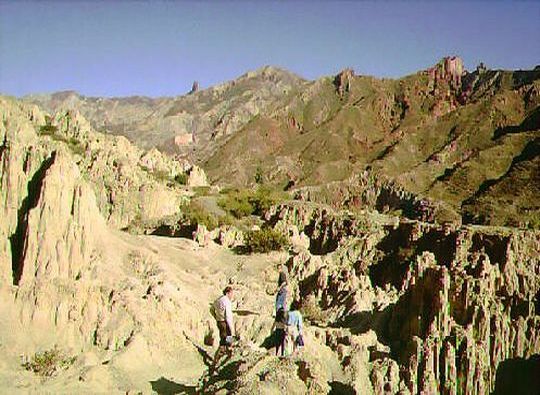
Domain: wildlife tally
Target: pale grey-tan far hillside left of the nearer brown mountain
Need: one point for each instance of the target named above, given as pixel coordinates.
(189, 125)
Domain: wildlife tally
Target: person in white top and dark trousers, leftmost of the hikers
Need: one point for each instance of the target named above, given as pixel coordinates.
(222, 312)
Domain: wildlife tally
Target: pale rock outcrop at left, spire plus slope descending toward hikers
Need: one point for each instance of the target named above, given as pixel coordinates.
(66, 278)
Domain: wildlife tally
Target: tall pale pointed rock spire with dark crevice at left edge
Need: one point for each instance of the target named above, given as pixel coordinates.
(50, 217)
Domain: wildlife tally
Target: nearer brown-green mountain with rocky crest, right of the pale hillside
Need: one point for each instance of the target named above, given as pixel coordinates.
(467, 139)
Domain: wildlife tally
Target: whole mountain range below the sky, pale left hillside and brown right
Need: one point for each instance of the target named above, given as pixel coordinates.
(467, 139)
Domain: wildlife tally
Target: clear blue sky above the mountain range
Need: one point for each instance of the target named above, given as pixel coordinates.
(158, 48)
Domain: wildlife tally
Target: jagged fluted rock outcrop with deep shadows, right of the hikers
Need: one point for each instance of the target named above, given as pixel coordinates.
(452, 303)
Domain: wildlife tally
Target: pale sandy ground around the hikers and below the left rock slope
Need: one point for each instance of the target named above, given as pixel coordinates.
(145, 364)
